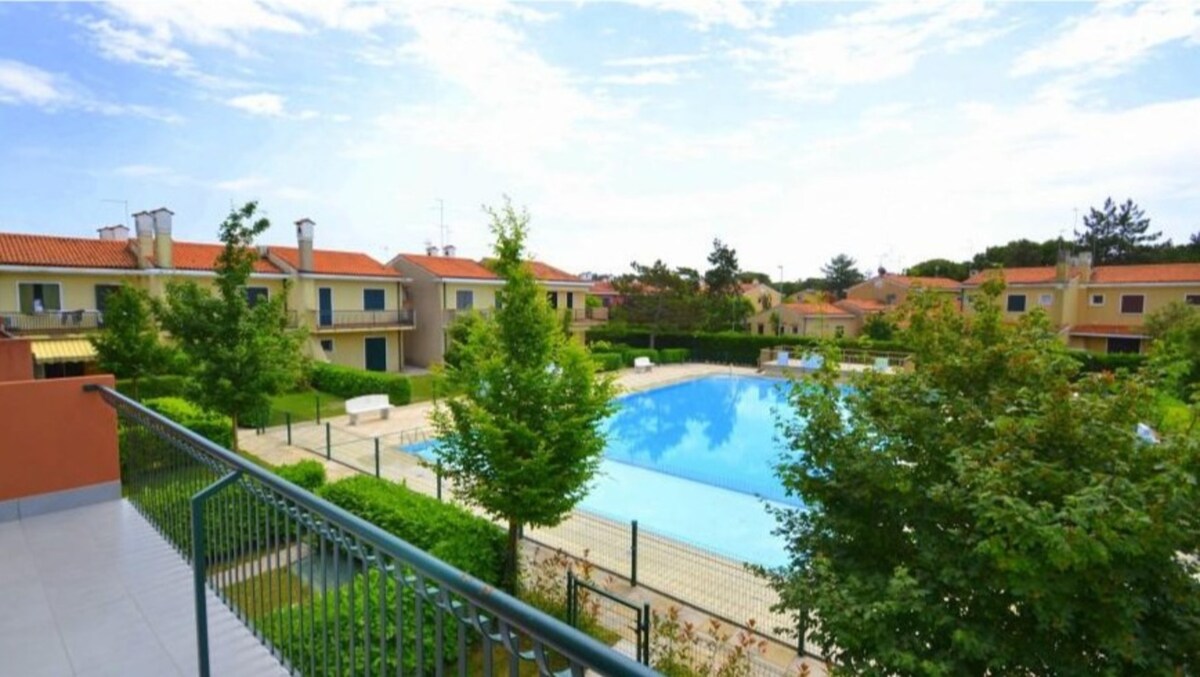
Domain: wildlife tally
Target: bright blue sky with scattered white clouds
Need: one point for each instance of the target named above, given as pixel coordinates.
(639, 130)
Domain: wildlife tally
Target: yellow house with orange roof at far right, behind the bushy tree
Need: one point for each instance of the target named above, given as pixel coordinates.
(1101, 309)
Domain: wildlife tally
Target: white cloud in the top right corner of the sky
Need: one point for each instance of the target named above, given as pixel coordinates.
(1113, 39)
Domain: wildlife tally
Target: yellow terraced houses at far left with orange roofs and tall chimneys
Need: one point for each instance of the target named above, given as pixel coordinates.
(53, 291)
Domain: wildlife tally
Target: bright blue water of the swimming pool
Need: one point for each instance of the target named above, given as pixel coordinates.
(695, 462)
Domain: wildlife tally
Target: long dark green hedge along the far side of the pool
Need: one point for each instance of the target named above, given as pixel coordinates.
(728, 346)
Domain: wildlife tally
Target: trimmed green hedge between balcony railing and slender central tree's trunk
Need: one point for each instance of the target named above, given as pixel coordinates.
(455, 536)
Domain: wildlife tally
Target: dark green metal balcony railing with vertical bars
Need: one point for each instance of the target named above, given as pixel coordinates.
(328, 592)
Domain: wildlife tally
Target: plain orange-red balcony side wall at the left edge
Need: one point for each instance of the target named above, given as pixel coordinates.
(56, 436)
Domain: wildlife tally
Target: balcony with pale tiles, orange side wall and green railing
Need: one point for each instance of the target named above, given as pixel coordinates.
(130, 546)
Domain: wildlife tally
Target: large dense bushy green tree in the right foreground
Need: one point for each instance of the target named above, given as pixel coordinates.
(991, 512)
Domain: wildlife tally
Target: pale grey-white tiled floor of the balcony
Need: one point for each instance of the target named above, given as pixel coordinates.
(97, 591)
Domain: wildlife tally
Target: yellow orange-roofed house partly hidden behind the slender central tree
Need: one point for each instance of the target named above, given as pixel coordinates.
(447, 286)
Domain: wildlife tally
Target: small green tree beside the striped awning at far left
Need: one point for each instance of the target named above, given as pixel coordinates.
(129, 344)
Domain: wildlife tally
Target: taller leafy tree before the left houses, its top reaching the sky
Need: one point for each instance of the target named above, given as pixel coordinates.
(241, 355)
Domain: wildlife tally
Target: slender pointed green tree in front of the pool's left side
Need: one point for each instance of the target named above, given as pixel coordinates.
(524, 440)
